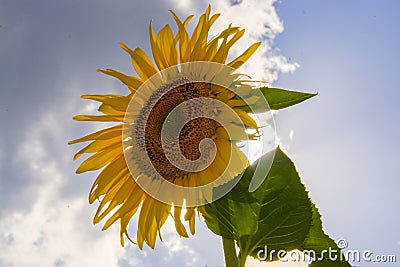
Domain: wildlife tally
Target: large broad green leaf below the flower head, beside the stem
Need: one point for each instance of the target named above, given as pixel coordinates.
(278, 215)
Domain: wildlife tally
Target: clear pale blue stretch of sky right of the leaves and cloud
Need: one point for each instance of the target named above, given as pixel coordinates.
(346, 139)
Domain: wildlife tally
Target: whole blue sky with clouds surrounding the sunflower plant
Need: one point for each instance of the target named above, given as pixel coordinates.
(344, 141)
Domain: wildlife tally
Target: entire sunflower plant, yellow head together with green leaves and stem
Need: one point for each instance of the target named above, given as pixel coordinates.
(182, 144)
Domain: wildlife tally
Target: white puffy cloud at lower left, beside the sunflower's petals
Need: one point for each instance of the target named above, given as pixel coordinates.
(56, 230)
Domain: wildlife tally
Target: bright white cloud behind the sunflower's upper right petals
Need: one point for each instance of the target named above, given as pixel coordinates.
(261, 22)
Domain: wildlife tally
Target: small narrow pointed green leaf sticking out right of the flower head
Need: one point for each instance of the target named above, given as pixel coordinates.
(277, 98)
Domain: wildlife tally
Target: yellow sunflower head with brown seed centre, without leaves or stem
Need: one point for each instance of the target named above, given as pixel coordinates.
(177, 134)
